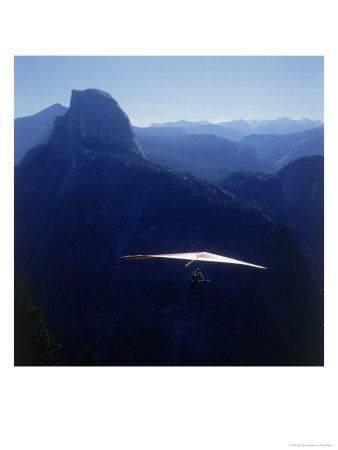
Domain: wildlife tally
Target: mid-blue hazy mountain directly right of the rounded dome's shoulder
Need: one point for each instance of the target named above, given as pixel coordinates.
(206, 156)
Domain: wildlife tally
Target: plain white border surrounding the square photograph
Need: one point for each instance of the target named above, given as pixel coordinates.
(169, 408)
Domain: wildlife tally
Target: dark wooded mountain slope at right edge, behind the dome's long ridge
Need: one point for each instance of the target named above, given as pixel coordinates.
(294, 195)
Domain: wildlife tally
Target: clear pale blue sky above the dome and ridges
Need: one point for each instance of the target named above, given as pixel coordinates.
(157, 89)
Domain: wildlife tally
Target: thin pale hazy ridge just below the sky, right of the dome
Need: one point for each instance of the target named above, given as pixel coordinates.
(201, 127)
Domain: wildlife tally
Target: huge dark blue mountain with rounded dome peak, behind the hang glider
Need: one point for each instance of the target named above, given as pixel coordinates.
(88, 195)
